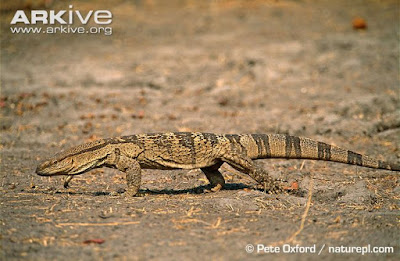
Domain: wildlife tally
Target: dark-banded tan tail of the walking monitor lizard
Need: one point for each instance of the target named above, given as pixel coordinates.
(292, 147)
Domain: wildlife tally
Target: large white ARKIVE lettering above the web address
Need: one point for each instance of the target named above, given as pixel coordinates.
(62, 17)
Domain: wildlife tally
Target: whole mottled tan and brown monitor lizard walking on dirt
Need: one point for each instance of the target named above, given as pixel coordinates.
(187, 150)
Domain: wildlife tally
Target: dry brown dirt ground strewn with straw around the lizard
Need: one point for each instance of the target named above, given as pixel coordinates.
(298, 67)
